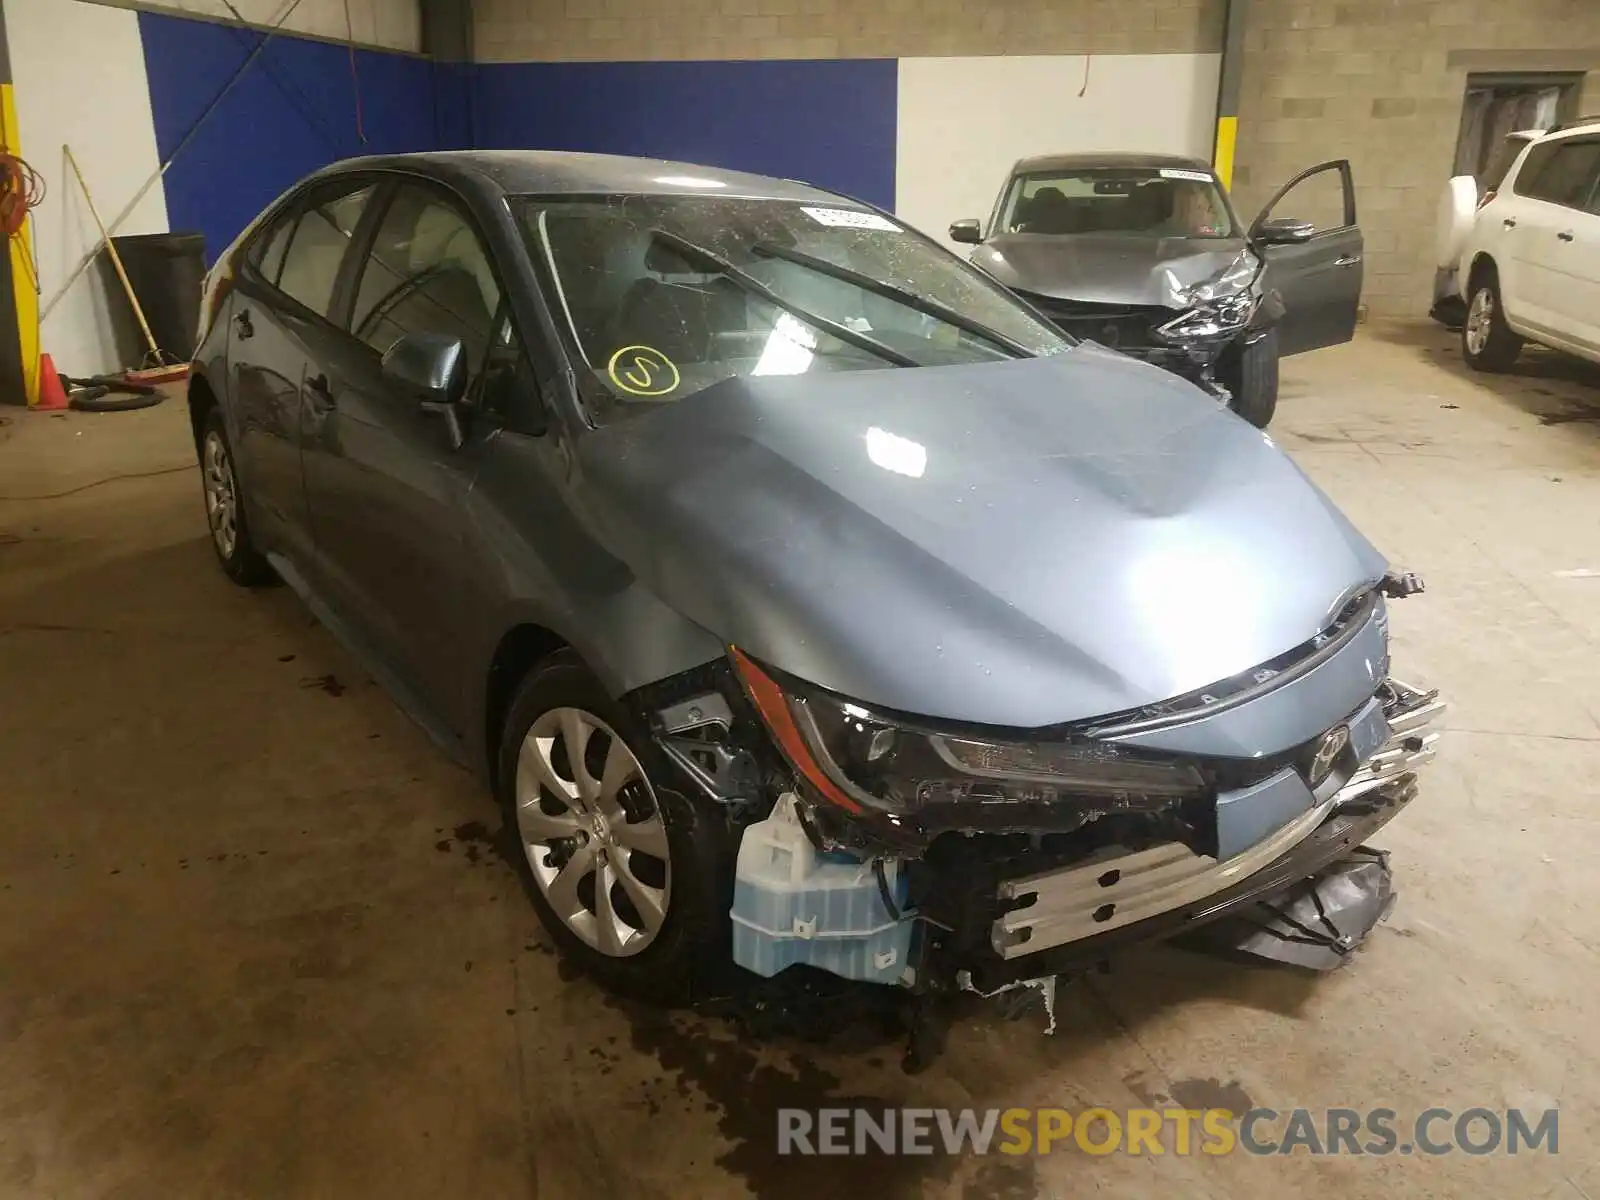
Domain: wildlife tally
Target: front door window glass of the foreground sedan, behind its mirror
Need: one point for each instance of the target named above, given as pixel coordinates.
(428, 273)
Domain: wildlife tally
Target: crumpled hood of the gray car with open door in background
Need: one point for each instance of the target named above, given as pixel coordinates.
(1105, 268)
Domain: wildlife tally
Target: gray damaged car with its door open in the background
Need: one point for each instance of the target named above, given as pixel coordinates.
(1143, 254)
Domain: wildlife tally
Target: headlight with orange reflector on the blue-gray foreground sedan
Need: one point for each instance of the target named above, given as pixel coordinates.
(866, 762)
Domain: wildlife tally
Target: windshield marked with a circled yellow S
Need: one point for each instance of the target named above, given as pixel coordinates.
(670, 295)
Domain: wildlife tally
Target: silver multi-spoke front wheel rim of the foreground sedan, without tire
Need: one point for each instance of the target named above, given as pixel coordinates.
(593, 833)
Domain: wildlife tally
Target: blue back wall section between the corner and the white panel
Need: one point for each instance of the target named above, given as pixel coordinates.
(831, 122)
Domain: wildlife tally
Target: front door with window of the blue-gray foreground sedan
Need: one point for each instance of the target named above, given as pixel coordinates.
(385, 482)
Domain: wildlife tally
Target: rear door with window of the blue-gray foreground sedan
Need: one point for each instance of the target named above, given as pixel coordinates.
(279, 313)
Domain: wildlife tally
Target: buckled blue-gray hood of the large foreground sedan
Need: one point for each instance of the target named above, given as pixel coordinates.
(1018, 545)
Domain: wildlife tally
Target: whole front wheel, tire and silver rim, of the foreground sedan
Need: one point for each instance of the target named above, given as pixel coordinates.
(615, 817)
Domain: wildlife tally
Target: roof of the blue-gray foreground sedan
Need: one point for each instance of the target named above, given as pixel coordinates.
(559, 172)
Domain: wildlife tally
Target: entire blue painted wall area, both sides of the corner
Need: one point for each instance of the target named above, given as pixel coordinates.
(831, 122)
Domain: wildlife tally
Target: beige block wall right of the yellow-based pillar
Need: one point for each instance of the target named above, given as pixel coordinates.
(1374, 82)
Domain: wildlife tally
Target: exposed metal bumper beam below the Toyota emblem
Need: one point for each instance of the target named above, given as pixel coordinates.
(1076, 916)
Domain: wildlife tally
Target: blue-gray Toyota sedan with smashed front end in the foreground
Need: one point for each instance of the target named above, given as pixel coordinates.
(804, 598)
